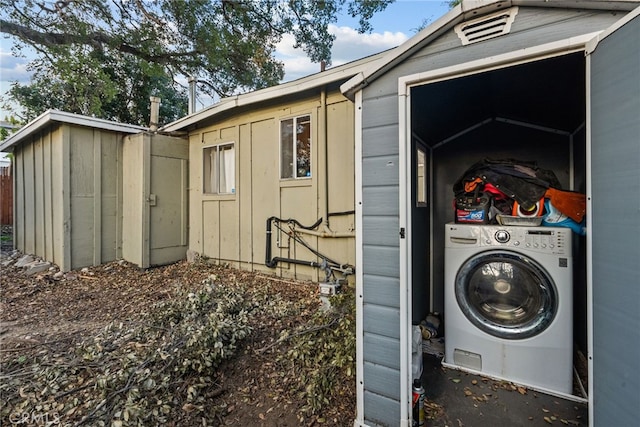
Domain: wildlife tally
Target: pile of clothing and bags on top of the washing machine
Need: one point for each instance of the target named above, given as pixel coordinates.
(511, 187)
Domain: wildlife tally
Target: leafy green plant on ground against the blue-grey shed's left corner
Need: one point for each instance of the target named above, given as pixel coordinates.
(323, 352)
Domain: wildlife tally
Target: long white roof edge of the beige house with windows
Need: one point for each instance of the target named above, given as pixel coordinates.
(336, 74)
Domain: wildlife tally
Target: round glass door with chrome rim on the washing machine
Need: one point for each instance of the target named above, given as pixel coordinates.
(506, 294)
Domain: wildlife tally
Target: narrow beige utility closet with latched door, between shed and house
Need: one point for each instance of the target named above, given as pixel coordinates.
(154, 199)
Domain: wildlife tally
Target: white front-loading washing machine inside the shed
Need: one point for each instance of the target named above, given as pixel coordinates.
(509, 304)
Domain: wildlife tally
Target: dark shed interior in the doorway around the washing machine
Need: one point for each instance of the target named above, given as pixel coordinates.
(533, 110)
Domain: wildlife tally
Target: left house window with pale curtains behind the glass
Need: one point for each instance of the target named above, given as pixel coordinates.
(220, 169)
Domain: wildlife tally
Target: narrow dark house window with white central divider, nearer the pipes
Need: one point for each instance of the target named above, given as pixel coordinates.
(295, 148)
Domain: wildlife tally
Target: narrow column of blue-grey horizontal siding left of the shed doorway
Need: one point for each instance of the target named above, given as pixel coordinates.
(381, 260)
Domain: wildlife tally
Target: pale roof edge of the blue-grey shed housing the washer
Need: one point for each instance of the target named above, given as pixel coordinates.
(465, 10)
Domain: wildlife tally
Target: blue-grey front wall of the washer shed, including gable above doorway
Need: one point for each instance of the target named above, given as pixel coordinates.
(380, 187)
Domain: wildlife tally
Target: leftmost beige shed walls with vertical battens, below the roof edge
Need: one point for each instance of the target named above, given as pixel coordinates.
(68, 206)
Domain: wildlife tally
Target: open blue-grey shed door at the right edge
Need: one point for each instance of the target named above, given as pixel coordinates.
(615, 167)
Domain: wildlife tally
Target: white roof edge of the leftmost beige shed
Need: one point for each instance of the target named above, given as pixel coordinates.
(56, 116)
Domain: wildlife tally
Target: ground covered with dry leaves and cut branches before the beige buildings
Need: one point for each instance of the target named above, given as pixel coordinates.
(114, 344)
